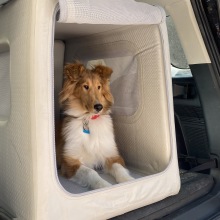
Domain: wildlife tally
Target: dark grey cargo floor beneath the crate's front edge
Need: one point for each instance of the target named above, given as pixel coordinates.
(193, 186)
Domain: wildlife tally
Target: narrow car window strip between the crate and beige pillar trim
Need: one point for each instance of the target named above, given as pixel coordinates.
(179, 65)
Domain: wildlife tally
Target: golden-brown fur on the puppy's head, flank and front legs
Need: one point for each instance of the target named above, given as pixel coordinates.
(75, 96)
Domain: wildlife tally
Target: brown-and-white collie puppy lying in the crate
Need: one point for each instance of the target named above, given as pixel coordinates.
(86, 139)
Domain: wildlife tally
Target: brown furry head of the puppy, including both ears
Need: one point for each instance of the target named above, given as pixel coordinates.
(86, 91)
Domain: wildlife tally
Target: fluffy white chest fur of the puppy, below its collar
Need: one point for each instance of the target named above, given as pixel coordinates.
(90, 149)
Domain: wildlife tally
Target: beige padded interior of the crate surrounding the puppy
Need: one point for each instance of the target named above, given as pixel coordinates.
(139, 113)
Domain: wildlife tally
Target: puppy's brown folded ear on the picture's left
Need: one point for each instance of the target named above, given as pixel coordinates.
(73, 71)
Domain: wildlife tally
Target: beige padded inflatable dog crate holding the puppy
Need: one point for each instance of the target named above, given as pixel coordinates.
(36, 39)
